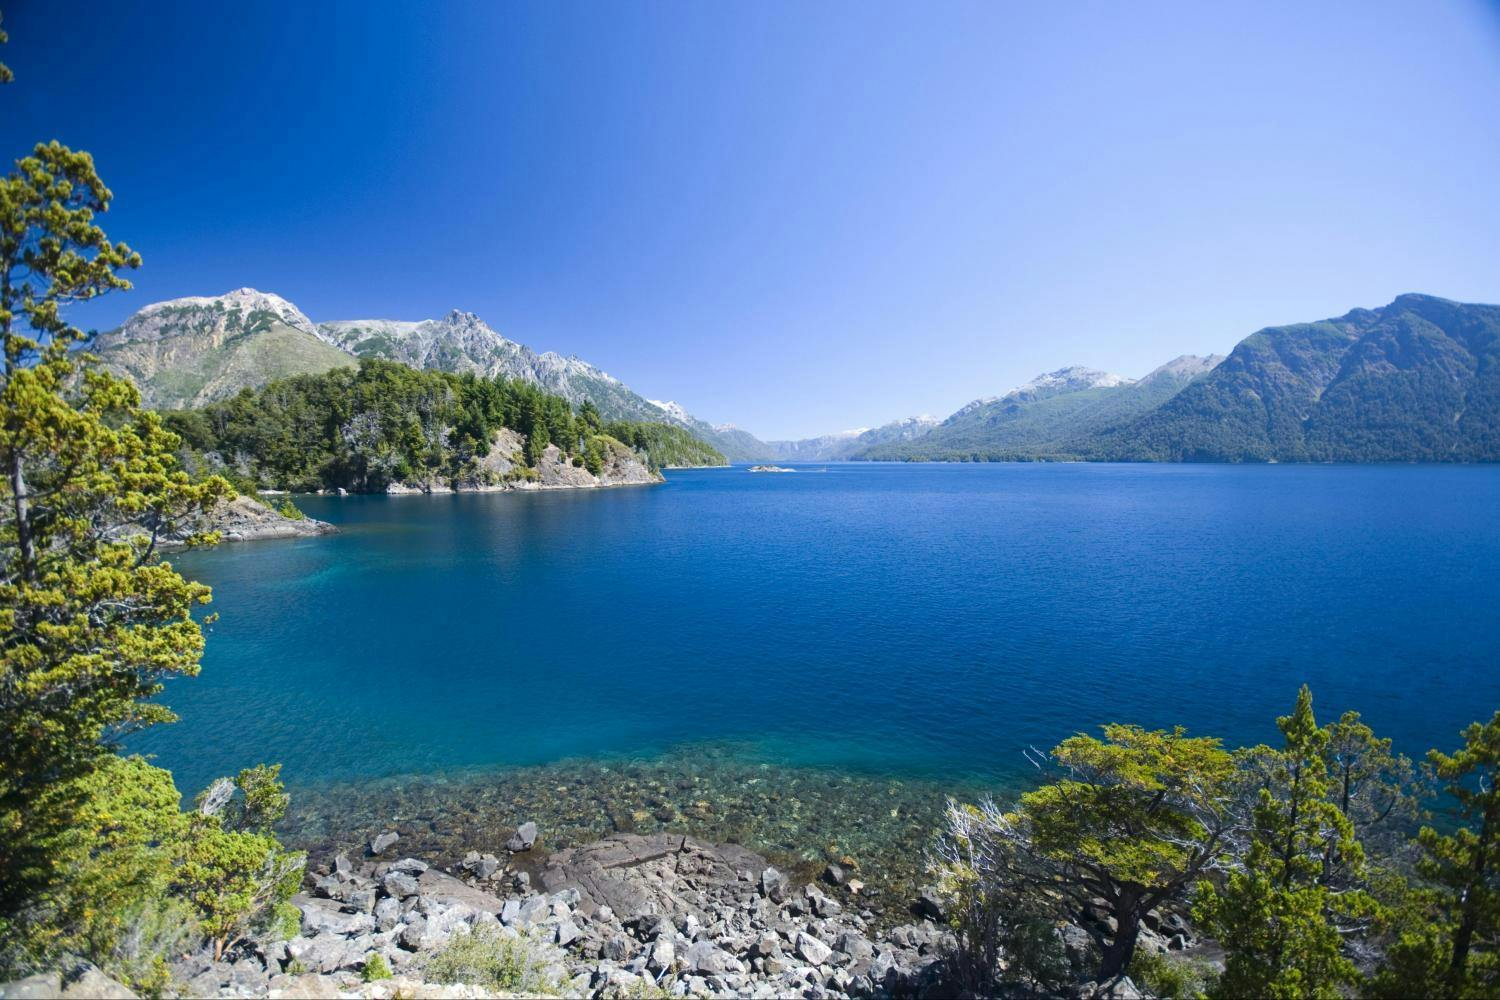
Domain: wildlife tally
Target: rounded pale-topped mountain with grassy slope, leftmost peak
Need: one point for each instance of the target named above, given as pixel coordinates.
(191, 352)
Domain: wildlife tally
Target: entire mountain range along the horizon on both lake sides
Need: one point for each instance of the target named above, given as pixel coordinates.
(1414, 382)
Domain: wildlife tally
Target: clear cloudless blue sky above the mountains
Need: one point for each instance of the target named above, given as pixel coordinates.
(793, 217)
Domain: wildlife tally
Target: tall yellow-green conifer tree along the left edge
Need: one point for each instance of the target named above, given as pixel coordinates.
(91, 620)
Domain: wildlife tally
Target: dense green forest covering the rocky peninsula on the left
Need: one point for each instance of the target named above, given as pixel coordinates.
(367, 428)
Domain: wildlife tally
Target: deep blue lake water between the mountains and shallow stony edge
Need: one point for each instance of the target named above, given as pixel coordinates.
(916, 621)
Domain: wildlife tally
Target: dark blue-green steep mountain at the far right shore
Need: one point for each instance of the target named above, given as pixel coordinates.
(1414, 382)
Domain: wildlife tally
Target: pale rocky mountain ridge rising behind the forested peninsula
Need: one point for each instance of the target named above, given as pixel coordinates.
(193, 352)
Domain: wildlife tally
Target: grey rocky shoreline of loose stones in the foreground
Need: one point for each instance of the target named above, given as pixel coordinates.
(661, 915)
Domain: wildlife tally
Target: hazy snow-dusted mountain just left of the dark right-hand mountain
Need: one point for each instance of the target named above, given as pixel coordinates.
(1045, 416)
